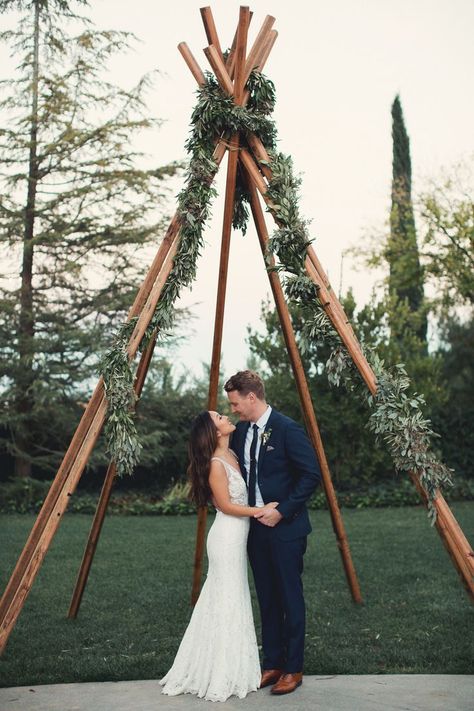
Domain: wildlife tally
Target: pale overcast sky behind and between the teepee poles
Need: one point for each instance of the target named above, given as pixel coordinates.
(337, 67)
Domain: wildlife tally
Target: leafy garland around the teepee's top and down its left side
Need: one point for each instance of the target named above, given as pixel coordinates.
(215, 115)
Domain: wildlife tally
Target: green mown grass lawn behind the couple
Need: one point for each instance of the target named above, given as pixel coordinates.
(417, 618)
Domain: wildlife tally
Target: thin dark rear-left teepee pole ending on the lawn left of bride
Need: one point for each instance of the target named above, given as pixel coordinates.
(104, 498)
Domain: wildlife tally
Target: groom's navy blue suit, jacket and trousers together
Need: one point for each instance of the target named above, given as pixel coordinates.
(288, 472)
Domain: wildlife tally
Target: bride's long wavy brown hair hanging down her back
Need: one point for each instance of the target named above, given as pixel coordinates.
(201, 447)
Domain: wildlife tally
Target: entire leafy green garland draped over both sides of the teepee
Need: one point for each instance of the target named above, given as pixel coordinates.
(396, 415)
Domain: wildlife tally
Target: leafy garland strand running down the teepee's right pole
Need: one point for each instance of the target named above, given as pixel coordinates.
(397, 417)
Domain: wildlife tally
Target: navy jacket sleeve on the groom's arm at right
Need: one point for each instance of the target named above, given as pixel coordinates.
(305, 469)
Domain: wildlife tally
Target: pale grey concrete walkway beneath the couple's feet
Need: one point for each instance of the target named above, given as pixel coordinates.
(417, 692)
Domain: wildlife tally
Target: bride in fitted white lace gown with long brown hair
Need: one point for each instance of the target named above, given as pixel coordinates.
(218, 655)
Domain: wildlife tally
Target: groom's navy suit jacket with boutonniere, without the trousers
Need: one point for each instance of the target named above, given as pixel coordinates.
(288, 471)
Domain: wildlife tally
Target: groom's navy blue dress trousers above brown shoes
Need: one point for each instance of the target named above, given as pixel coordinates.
(277, 567)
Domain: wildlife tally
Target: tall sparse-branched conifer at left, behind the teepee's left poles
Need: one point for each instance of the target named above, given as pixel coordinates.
(76, 207)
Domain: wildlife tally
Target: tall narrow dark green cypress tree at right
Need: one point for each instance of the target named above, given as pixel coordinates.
(408, 316)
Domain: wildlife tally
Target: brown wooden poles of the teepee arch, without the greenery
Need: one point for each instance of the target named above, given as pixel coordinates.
(232, 74)
